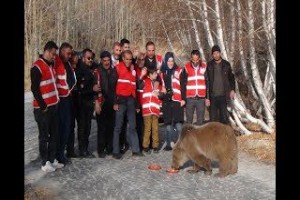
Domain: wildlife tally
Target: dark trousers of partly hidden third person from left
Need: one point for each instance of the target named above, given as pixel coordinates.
(74, 116)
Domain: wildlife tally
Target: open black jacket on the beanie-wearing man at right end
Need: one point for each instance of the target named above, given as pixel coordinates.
(227, 76)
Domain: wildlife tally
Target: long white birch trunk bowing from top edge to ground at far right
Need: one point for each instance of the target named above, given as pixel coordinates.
(255, 72)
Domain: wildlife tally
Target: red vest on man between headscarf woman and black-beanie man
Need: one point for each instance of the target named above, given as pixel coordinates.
(195, 82)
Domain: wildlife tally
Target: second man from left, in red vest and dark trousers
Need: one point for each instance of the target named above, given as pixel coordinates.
(65, 82)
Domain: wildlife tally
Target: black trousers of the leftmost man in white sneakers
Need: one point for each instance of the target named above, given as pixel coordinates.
(48, 132)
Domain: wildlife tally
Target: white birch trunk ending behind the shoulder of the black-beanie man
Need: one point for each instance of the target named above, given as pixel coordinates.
(220, 30)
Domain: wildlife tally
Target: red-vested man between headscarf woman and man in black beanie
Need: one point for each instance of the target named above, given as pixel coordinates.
(195, 88)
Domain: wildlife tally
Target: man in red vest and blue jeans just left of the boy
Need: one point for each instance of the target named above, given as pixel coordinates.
(125, 103)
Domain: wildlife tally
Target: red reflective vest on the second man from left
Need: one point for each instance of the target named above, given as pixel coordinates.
(61, 78)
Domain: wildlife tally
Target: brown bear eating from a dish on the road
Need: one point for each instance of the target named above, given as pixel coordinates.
(210, 141)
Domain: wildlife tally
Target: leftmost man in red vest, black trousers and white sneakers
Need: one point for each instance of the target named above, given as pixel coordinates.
(45, 103)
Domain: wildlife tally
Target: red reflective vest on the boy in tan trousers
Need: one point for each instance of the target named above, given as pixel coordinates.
(150, 102)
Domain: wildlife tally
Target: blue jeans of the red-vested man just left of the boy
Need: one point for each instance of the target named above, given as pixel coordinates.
(127, 108)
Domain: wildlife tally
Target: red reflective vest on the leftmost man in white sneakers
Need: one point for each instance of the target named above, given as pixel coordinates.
(47, 85)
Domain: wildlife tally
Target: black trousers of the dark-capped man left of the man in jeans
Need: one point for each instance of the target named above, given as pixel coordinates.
(105, 124)
